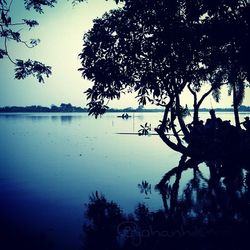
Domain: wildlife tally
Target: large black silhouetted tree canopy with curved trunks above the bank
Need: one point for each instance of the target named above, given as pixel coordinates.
(158, 49)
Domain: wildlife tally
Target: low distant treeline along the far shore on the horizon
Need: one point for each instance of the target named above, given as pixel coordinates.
(69, 108)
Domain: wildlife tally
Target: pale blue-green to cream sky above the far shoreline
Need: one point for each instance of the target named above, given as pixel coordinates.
(61, 30)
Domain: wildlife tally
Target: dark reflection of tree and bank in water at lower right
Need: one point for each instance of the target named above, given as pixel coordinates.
(208, 213)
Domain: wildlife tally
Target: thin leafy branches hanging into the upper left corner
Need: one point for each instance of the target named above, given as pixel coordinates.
(10, 31)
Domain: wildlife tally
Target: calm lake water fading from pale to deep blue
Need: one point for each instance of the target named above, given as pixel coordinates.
(51, 163)
